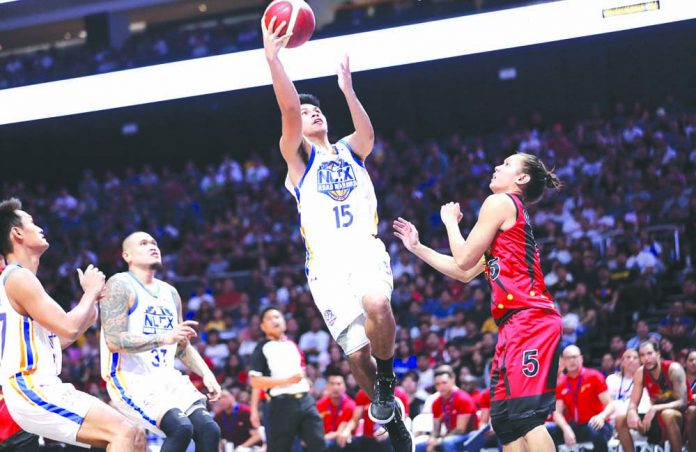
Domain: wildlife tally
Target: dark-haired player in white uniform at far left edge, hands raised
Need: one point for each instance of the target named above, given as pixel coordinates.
(33, 331)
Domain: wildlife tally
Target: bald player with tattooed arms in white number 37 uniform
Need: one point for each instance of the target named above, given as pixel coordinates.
(142, 333)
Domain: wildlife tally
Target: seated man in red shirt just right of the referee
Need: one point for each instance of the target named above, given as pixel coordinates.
(336, 409)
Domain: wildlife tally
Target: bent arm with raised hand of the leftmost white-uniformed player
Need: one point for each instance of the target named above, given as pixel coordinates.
(24, 288)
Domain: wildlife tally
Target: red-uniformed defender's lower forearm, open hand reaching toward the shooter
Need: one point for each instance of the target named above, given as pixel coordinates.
(407, 232)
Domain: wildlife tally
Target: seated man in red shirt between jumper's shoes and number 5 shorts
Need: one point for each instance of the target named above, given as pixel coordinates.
(453, 408)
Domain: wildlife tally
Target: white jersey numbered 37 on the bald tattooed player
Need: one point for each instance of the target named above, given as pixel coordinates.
(151, 313)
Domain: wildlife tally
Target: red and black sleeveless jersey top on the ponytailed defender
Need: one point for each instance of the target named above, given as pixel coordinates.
(513, 269)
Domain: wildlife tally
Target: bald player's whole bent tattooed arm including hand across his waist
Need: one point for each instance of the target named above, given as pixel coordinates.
(113, 308)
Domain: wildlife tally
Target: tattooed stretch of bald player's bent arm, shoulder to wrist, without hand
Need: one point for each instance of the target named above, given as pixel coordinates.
(113, 309)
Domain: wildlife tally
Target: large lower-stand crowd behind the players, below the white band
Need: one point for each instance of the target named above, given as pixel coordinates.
(229, 235)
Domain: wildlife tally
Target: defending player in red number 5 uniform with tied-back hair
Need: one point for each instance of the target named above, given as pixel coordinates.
(501, 243)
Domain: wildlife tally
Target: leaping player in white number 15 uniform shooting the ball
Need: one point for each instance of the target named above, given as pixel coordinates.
(347, 266)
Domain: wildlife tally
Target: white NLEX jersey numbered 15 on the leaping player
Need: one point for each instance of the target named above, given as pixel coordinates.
(337, 205)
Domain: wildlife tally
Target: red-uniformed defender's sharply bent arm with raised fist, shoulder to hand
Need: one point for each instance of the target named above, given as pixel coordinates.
(494, 211)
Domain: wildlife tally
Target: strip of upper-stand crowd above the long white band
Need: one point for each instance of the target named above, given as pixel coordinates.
(212, 36)
